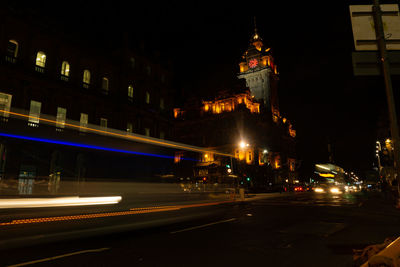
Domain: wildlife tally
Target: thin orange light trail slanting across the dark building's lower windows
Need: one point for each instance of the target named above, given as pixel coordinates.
(133, 137)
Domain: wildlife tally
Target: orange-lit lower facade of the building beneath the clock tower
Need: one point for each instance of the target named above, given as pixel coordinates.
(261, 148)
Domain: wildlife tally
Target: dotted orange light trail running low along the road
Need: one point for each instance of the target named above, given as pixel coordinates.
(110, 214)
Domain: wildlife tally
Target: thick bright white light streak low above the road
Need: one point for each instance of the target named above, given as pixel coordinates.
(15, 203)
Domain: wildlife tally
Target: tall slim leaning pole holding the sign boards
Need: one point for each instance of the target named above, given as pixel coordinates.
(377, 13)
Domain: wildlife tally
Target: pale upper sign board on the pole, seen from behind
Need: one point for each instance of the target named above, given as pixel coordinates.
(362, 21)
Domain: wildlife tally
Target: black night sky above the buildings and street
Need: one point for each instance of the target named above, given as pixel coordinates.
(312, 46)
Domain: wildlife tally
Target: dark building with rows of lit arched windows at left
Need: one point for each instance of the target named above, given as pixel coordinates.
(57, 85)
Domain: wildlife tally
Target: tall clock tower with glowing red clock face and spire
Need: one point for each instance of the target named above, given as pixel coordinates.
(259, 70)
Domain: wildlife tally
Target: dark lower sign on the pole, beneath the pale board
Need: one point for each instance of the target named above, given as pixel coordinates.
(367, 63)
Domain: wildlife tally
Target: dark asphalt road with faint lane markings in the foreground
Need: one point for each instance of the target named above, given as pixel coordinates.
(289, 229)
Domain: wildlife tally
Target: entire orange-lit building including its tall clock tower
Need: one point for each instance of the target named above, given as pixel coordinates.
(245, 123)
